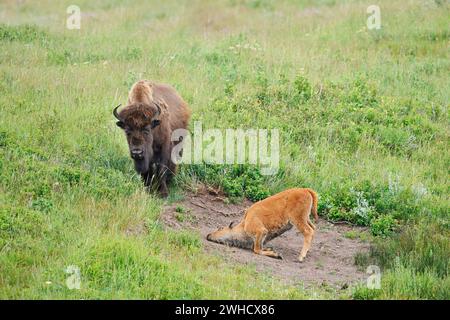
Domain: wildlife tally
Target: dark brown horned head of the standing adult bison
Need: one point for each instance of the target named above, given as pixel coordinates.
(138, 121)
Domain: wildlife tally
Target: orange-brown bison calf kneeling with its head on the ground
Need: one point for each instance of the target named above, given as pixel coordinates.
(269, 218)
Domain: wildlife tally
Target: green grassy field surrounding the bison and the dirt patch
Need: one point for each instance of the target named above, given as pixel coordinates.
(363, 118)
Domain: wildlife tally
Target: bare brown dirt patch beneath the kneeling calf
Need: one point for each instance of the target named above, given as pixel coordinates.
(329, 261)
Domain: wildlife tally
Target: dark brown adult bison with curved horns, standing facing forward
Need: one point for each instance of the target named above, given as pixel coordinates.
(152, 113)
